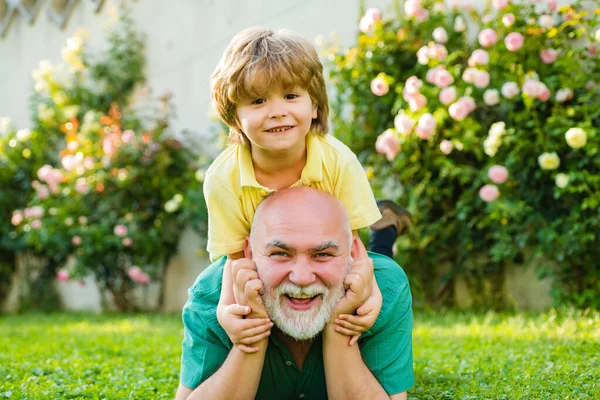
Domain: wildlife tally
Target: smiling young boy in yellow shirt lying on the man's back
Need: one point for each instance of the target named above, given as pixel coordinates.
(269, 89)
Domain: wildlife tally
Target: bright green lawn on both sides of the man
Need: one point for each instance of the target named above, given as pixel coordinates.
(457, 356)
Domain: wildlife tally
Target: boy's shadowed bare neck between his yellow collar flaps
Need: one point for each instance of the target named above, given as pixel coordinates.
(278, 170)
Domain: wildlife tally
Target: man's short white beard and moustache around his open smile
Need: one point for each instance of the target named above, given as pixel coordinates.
(301, 324)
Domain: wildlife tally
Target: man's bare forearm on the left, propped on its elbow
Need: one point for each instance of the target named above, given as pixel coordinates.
(238, 377)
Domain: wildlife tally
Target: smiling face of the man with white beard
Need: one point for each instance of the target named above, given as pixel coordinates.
(302, 263)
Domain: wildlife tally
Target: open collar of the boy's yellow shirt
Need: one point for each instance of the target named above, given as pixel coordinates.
(312, 172)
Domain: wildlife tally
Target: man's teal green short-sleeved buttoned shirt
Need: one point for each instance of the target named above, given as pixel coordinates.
(386, 348)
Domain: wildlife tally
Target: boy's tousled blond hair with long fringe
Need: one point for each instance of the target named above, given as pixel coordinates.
(259, 57)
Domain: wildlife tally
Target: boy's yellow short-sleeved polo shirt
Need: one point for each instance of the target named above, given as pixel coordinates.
(232, 193)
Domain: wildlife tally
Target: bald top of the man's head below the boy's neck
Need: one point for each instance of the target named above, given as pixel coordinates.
(300, 208)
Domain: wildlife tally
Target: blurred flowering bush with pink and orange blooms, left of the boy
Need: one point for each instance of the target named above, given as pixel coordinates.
(120, 188)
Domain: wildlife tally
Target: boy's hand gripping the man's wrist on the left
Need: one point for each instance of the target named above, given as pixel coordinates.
(244, 332)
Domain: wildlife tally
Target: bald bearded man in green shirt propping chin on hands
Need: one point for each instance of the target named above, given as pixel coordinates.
(302, 268)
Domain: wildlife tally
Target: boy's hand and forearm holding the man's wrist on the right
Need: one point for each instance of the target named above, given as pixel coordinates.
(355, 325)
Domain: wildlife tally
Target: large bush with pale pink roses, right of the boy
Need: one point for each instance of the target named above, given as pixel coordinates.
(491, 143)
